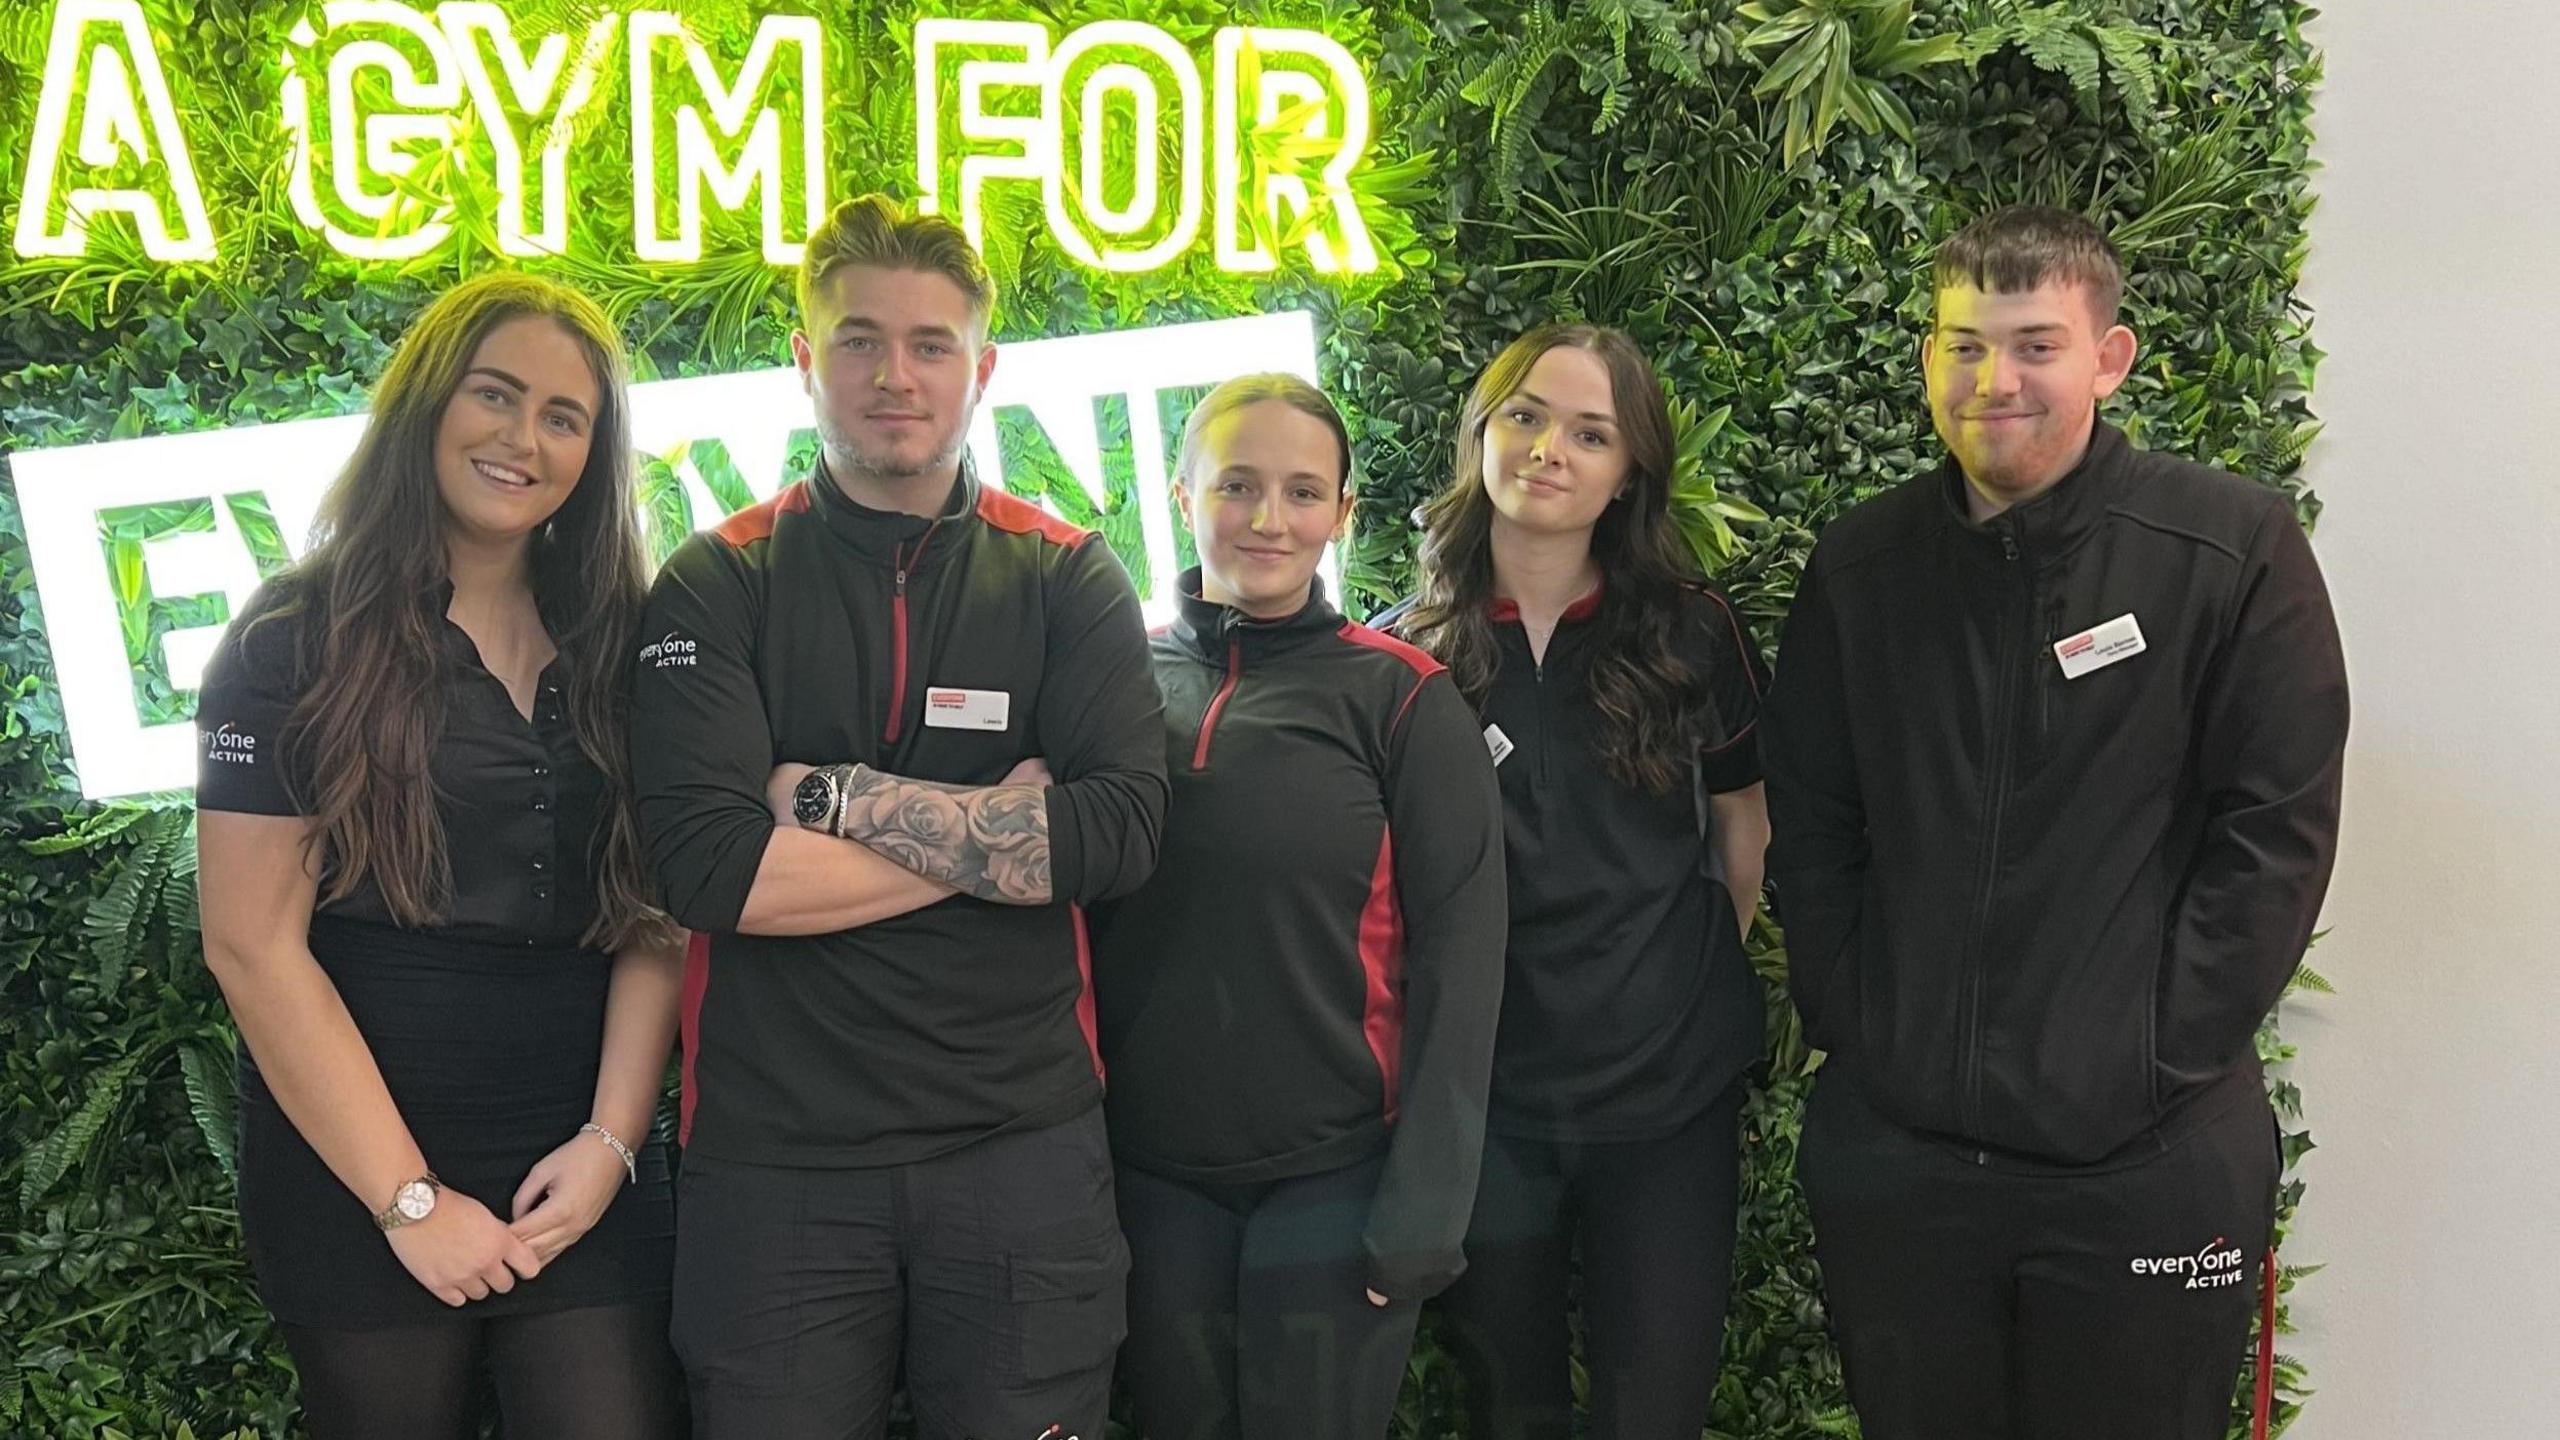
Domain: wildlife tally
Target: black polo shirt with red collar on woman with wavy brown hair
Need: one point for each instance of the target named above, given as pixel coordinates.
(1627, 995)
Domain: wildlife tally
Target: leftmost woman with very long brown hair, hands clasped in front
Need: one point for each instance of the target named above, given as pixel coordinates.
(426, 906)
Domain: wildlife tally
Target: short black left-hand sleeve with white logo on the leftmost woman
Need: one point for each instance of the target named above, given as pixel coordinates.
(239, 714)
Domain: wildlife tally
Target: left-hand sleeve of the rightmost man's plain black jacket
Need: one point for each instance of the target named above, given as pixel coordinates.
(1816, 808)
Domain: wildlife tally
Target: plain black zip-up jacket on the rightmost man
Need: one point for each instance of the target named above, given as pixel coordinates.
(2044, 916)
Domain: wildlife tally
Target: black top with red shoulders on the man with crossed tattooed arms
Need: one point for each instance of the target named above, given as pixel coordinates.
(810, 629)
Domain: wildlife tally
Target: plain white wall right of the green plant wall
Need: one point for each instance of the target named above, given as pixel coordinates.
(2436, 1072)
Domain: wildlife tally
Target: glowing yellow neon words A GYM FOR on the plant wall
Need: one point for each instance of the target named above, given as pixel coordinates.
(1128, 147)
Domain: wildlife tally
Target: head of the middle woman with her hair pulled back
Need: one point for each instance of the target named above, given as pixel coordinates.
(1266, 496)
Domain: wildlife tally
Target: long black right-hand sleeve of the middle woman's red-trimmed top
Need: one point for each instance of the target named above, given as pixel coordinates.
(1445, 829)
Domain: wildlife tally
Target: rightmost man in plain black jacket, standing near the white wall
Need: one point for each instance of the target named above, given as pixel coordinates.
(2054, 765)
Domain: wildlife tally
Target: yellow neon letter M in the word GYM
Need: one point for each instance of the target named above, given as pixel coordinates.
(762, 158)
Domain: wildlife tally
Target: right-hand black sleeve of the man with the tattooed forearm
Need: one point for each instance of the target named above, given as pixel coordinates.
(1102, 732)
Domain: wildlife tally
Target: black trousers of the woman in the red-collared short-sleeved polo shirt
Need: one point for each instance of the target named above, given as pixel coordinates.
(1655, 1226)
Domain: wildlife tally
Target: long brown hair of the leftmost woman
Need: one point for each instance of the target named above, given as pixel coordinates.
(370, 593)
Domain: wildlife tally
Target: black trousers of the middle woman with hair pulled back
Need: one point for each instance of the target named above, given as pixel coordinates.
(1251, 1316)
